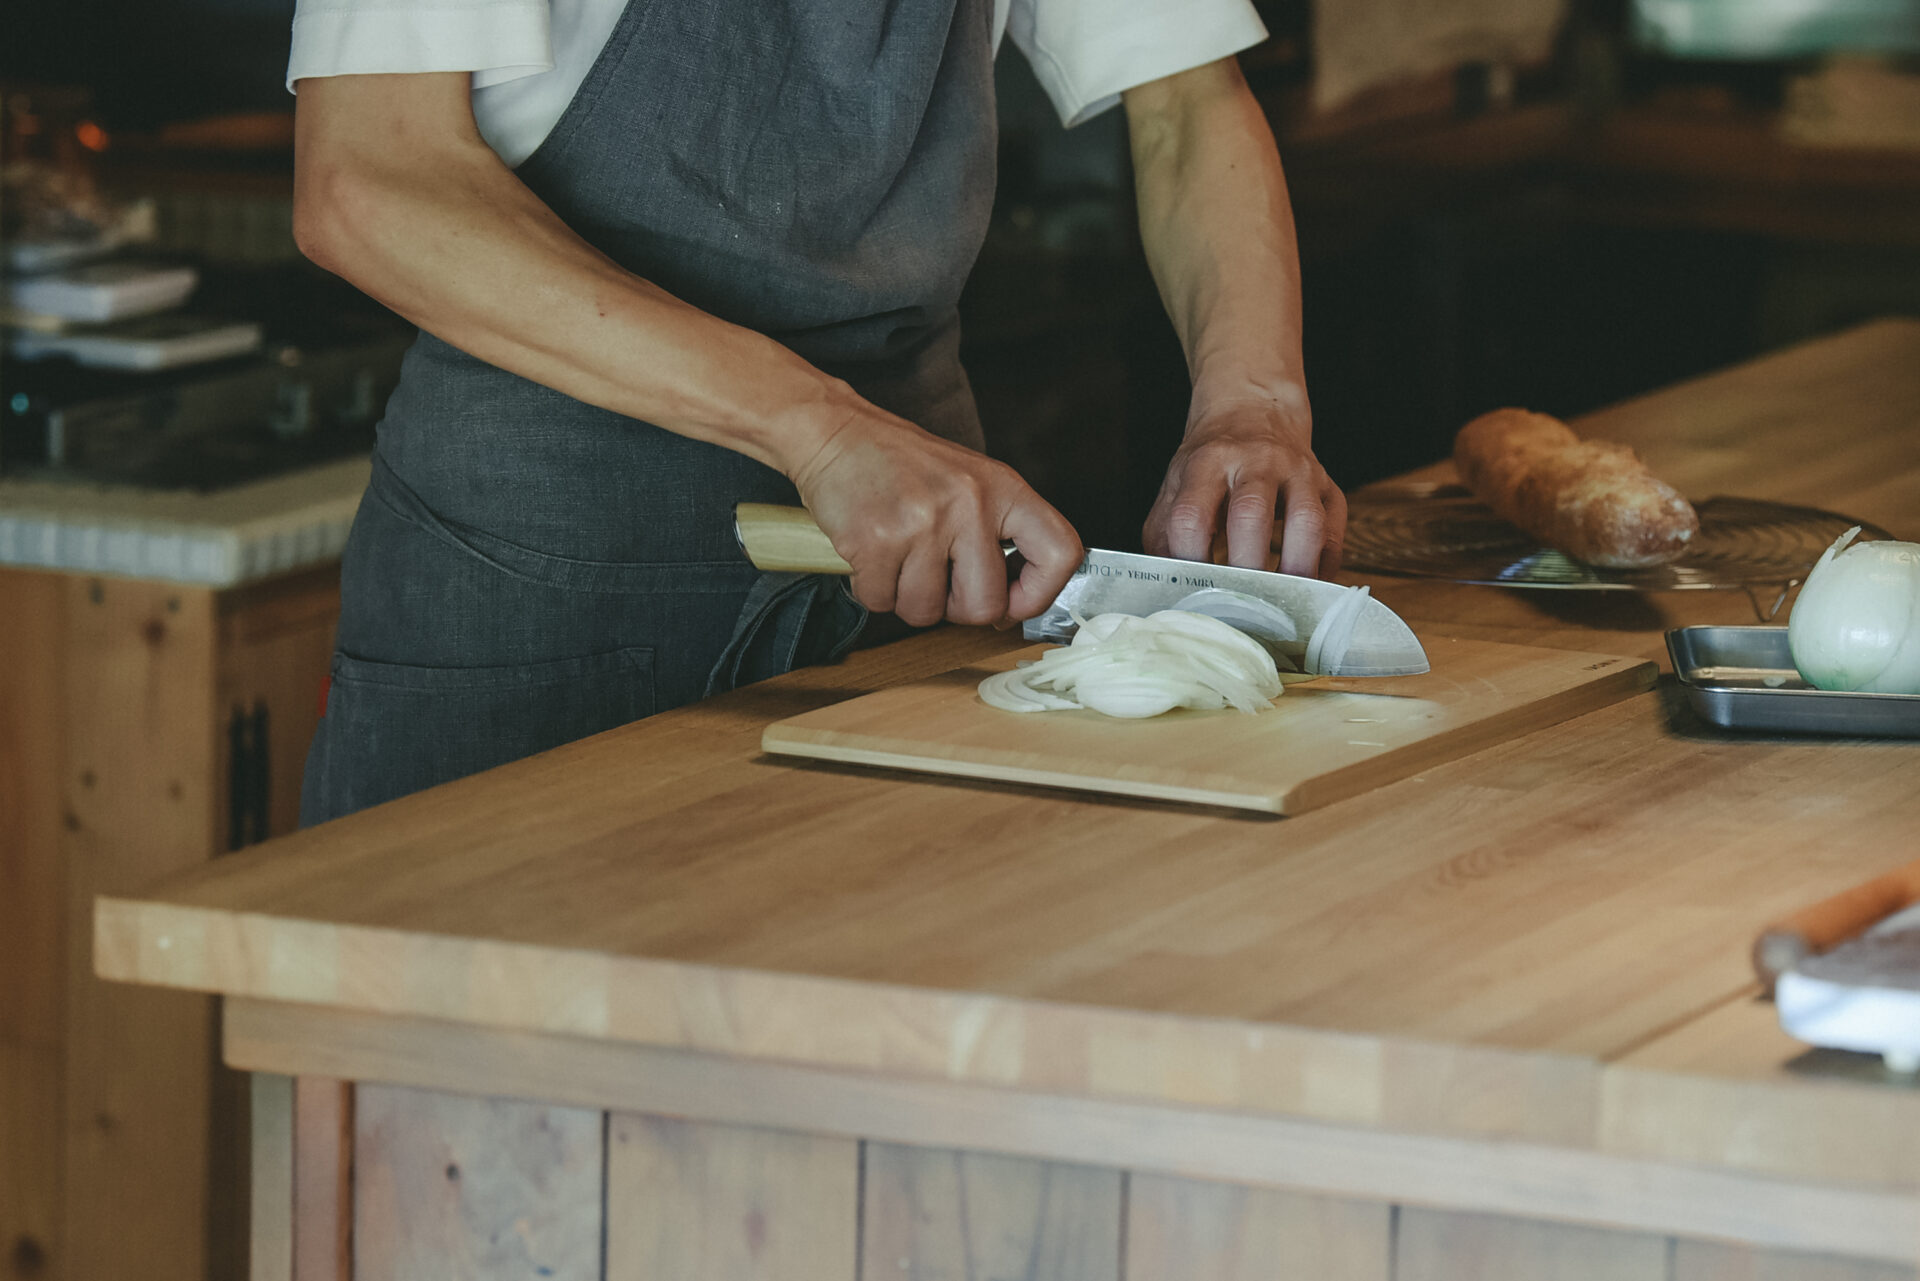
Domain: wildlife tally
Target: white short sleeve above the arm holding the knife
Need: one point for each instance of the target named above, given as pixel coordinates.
(494, 39)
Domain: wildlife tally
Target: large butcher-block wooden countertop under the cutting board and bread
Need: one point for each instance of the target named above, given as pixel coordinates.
(1545, 942)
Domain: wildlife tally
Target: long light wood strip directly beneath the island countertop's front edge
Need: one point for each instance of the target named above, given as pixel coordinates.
(1564, 1180)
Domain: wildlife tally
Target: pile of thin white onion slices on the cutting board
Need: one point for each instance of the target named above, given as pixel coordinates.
(1132, 667)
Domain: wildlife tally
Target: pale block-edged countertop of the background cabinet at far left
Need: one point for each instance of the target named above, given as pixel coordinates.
(218, 541)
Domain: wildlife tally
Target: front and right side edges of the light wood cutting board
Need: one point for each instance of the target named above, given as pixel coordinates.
(928, 761)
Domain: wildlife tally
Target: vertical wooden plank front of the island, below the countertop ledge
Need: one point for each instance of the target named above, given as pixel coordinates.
(481, 1190)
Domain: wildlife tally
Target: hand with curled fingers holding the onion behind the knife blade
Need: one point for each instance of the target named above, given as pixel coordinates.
(1230, 477)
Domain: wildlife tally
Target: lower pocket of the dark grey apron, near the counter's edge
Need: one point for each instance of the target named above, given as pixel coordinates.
(395, 729)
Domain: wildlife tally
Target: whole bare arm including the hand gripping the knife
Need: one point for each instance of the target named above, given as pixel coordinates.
(398, 195)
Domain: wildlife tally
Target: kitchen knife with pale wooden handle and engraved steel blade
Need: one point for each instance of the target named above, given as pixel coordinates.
(788, 539)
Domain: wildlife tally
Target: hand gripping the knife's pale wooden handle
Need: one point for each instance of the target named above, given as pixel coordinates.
(921, 520)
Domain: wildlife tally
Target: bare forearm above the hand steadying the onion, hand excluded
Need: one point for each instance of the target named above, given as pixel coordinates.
(1220, 235)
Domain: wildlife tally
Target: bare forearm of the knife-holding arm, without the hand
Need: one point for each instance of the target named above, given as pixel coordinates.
(435, 228)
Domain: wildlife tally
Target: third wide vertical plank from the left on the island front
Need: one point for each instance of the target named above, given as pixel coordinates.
(932, 1215)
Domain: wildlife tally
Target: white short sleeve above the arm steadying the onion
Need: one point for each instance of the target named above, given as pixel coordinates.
(1088, 53)
